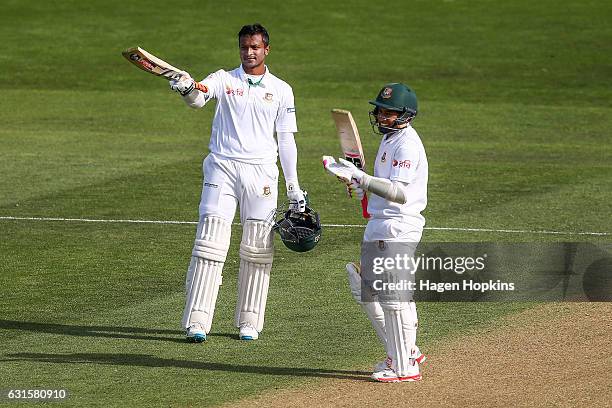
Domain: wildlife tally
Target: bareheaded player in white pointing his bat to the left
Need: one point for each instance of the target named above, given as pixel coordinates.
(252, 105)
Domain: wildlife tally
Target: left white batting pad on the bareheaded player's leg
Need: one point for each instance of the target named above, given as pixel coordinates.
(204, 273)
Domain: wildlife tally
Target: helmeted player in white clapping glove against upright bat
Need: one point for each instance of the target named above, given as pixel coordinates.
(398, 196)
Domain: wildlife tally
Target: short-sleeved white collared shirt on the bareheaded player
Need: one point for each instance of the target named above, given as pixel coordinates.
(247, 116)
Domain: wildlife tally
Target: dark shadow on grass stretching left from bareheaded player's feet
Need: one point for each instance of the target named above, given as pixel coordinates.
(116, 332)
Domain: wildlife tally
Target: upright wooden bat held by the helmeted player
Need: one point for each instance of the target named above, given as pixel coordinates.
(351, 145)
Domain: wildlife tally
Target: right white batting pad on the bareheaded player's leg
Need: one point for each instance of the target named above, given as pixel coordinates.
(256, 255)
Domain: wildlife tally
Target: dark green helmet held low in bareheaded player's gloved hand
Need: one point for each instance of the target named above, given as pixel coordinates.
(299, 231)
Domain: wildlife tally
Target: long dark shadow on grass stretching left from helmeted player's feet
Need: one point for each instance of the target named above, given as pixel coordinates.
(144, 360)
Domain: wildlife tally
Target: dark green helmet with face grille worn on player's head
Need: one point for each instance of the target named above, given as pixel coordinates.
(396, 97)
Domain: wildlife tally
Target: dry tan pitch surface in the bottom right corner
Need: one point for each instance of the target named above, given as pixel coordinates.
(557, 354)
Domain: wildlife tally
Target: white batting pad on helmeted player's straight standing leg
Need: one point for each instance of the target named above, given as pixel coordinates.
(401, 337)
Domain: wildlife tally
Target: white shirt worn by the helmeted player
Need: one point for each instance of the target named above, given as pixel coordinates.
(401, 156)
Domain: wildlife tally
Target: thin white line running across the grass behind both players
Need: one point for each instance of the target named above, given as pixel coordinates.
(504, 231)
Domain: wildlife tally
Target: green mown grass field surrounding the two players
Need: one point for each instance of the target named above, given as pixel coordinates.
(515, 116)
